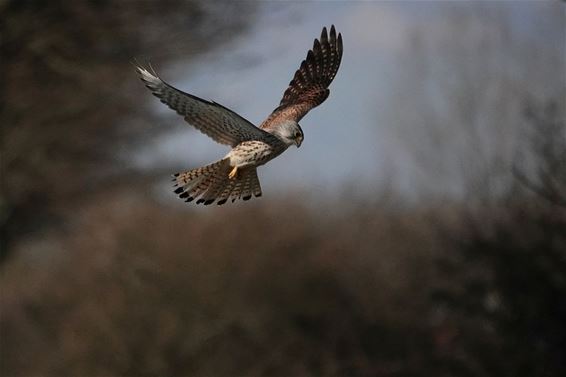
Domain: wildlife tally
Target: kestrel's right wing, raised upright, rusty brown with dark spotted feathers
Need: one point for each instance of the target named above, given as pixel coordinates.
(309, 87)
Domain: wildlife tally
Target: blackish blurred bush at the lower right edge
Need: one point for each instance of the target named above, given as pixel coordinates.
(506, 282)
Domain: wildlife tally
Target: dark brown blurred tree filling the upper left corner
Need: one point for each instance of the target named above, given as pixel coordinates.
(68, 101)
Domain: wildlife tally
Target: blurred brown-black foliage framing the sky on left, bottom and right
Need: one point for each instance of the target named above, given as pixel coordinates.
(112, 282)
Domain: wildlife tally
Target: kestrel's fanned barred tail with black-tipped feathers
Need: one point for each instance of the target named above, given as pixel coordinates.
(211, 183)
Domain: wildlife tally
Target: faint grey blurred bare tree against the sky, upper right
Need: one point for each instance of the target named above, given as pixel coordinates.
(464, 84)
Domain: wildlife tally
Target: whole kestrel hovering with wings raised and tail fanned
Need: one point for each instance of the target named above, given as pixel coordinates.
(235, 176)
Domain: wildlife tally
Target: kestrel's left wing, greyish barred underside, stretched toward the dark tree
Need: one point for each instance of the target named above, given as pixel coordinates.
(220, 123)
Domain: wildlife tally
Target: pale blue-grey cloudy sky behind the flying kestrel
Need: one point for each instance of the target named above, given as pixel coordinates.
(349, 140)
